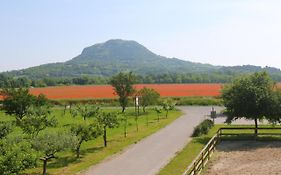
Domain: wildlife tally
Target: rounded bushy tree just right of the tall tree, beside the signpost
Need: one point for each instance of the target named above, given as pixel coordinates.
(148, 97)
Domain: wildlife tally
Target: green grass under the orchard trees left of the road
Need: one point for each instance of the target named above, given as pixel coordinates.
(93, 151)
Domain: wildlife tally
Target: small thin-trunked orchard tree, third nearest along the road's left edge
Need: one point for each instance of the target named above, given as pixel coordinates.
(107, 120)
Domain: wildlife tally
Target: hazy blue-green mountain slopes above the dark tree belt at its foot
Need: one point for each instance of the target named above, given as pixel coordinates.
(113, 56)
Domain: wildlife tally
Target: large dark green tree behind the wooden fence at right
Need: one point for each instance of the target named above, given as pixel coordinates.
(249, 97)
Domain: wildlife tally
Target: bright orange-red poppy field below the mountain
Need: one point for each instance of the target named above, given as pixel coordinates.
(106, 91)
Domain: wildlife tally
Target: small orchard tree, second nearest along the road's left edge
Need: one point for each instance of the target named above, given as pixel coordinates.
(84, 133)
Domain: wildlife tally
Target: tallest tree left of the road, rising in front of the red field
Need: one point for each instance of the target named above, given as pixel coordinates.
(123, 87)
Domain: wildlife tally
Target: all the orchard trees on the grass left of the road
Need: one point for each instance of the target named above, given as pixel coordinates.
(33, 114)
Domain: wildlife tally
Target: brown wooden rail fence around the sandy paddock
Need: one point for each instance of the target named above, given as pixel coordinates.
(203, 157)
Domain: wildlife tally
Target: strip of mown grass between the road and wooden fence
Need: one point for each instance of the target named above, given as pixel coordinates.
(184, 158)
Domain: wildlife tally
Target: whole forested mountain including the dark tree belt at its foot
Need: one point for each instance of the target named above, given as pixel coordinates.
(99, 62)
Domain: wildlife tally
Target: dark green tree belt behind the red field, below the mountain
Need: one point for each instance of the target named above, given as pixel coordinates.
(215, 77)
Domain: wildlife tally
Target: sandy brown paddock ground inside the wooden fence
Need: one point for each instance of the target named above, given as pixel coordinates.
(246, 157)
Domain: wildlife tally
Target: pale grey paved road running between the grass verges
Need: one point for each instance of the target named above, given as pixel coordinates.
(152, 153)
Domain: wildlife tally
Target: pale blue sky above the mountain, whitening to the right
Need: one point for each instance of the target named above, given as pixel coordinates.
(219, 32)
